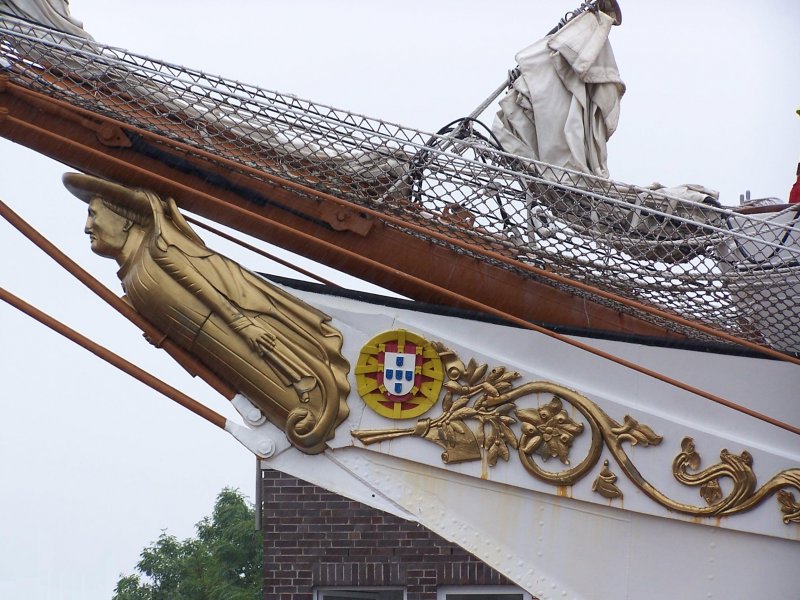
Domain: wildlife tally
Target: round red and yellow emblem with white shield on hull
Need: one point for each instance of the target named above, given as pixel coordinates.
(399, 374)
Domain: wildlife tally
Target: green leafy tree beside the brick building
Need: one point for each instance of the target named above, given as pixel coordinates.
(224, 562)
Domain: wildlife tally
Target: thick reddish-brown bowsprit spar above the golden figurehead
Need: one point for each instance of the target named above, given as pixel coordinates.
(341, 238)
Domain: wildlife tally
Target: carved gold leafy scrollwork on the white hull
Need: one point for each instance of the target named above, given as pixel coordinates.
(488, 398)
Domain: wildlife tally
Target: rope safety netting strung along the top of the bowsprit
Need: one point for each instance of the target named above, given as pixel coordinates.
(729, 269)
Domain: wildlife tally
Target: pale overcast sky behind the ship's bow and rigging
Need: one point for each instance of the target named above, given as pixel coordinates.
(94, 465)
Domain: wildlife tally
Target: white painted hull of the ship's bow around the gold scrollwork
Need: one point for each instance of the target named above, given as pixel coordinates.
(570, 542)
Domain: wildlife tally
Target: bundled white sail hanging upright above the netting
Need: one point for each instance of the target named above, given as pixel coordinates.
(565, 104)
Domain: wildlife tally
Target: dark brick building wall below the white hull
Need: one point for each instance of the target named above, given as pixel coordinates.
(314, 538)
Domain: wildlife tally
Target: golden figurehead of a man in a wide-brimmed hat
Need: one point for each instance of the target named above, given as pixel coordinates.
(277, 351)
